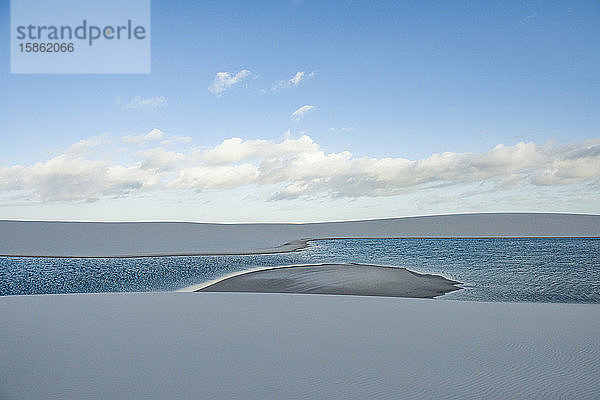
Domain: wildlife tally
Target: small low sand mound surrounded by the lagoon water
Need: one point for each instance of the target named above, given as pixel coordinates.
(335, 279)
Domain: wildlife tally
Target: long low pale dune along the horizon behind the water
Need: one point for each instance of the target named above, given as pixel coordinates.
(122, 239)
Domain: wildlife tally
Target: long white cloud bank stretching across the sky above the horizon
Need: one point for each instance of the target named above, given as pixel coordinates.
(297, 168)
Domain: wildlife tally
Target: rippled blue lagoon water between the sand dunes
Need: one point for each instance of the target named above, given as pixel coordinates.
(535, 270)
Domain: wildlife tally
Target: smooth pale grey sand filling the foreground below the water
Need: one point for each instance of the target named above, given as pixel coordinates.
(282, 346)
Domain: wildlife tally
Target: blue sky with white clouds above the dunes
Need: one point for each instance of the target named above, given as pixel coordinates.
(295, 111)
